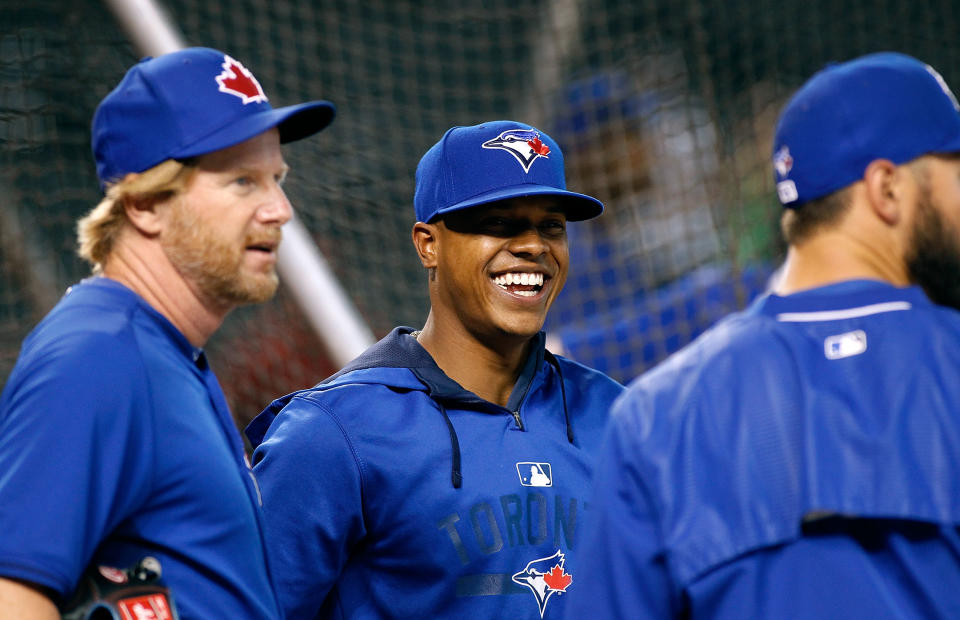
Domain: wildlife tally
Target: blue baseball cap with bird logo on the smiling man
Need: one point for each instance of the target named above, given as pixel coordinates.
(480, 164)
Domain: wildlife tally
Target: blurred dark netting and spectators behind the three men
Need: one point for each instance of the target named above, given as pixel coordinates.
(664, 110)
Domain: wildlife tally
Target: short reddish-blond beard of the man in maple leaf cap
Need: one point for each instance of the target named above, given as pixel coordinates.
(213, 264)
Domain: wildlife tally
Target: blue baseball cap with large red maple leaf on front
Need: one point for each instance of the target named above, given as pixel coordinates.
(187, 103)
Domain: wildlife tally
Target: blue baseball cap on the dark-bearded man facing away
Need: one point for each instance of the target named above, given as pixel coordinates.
(885, 105)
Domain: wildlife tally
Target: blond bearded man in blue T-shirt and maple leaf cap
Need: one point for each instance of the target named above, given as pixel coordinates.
(116, 443)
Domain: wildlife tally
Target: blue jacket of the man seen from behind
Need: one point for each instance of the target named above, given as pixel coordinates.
(801, 460)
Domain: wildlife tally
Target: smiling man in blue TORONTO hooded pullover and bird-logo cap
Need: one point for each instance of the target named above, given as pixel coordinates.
(443, 473)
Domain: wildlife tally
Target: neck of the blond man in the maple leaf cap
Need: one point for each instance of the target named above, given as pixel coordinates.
(142, 266)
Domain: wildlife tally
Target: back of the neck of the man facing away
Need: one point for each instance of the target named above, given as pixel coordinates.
(831, 257)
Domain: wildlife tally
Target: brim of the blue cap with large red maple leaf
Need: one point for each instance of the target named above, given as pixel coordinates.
(294, 123)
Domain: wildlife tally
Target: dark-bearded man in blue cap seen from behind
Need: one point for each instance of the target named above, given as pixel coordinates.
(802, 458)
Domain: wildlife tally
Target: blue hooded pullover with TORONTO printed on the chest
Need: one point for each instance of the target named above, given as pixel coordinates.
(392, 492)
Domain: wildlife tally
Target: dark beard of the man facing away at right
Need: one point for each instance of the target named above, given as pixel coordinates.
(933, 259)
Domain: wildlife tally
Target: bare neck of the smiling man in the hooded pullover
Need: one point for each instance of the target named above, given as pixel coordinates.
(490, 372)
